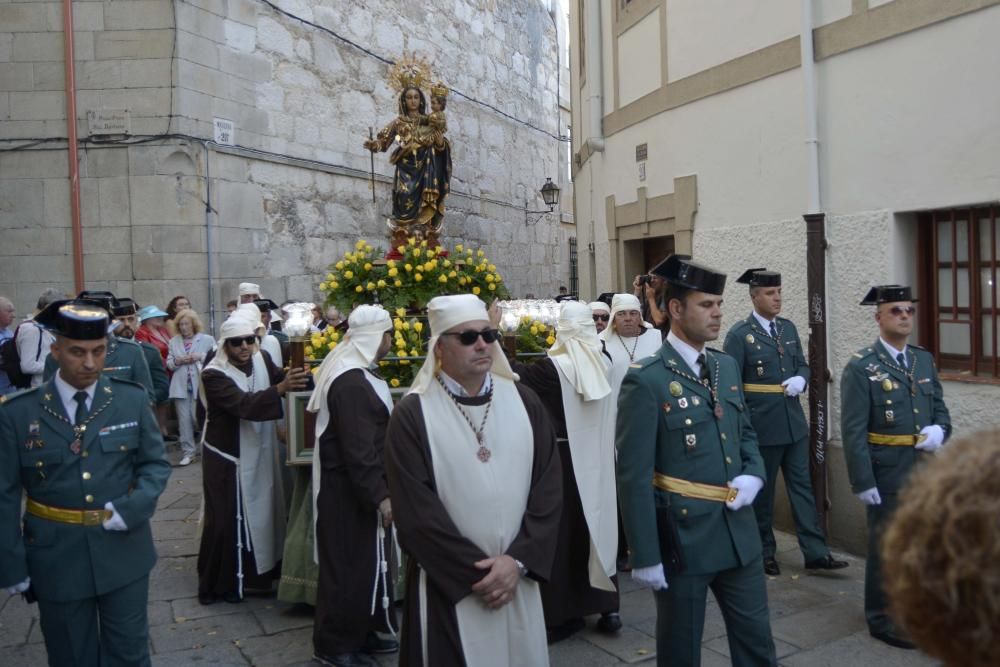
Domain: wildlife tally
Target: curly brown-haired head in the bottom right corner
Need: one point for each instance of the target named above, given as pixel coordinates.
(941, 554)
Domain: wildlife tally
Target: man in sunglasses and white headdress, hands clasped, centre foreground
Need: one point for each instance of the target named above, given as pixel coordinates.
(474, 480)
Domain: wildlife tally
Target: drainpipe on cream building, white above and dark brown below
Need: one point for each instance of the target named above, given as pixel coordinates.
(820, 377)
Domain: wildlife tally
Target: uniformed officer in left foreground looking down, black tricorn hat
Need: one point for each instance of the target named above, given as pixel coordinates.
(86, 450)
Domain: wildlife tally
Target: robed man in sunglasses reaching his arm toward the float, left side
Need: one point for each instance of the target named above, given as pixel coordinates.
(244, 524)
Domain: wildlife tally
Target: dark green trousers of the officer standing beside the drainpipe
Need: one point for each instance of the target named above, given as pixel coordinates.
(793, 461)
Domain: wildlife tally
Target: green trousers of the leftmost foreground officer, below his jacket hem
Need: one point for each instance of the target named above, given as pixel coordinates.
(106, 631)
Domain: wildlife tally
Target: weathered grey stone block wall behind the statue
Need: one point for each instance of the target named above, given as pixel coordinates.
(295, 192)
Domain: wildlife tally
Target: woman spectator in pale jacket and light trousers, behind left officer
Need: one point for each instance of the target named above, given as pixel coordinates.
(185, 358)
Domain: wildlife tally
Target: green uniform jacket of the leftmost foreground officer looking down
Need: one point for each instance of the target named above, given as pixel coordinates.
(121, 461)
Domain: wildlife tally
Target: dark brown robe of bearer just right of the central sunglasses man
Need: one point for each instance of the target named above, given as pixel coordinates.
(567, 594)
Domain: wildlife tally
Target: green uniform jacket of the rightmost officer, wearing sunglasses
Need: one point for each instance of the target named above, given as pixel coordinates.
(876, 397)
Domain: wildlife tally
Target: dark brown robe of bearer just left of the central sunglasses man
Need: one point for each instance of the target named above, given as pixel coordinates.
(353, 485)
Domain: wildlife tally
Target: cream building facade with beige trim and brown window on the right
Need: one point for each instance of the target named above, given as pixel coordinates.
(693, 133)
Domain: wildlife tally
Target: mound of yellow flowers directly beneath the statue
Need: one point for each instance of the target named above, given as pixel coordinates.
(418, 275)
